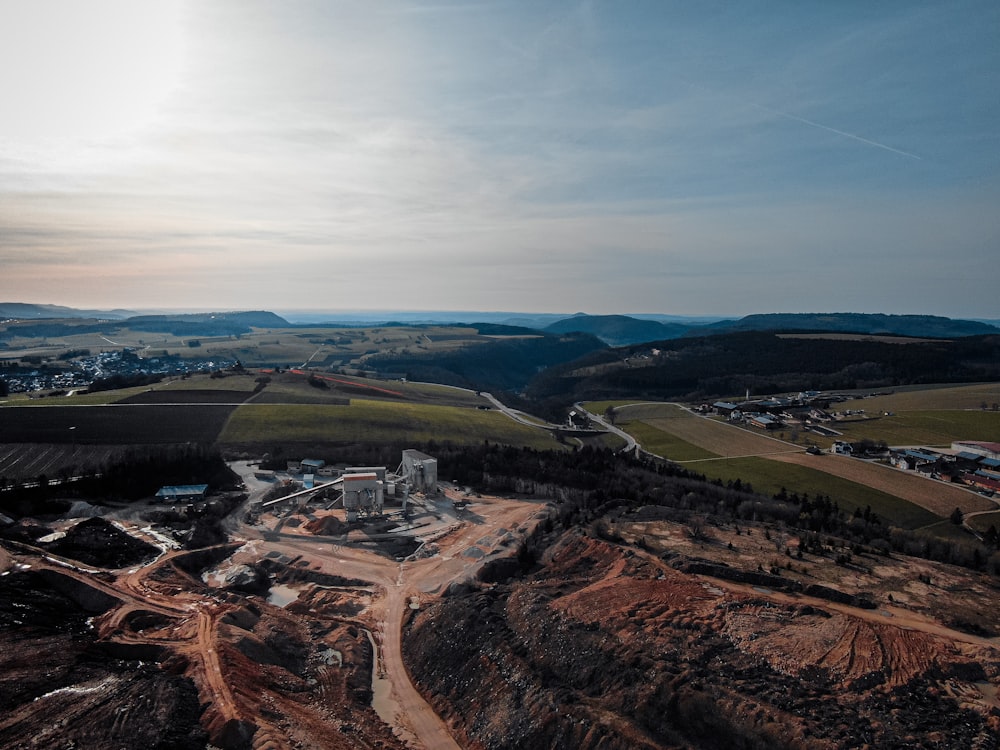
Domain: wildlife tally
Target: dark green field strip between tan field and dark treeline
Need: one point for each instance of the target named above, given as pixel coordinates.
(768, 477)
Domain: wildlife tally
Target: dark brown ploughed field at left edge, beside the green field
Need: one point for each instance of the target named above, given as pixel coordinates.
(124, 424)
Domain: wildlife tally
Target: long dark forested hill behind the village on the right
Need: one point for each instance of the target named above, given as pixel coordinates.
(714, 366)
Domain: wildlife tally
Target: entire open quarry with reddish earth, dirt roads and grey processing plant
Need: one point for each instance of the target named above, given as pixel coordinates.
(387, 608)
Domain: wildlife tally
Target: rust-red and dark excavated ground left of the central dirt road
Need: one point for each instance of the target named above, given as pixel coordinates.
(153, 658)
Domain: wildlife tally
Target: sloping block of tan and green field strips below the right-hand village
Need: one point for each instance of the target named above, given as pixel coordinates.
(770, 464)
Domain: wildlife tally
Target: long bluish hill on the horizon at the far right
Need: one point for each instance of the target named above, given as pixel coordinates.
(928, 326)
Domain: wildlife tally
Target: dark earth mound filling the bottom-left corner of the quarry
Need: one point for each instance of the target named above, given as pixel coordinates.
(52, 665)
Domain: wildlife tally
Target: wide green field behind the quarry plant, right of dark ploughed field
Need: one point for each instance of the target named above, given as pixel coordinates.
(370, 421)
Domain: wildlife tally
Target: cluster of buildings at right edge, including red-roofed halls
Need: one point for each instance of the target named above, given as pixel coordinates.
(973, 463)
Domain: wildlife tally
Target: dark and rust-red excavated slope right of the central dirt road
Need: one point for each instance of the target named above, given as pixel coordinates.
(606, 645)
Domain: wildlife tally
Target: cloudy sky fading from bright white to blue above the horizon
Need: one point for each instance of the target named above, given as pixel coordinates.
(644, 156)
